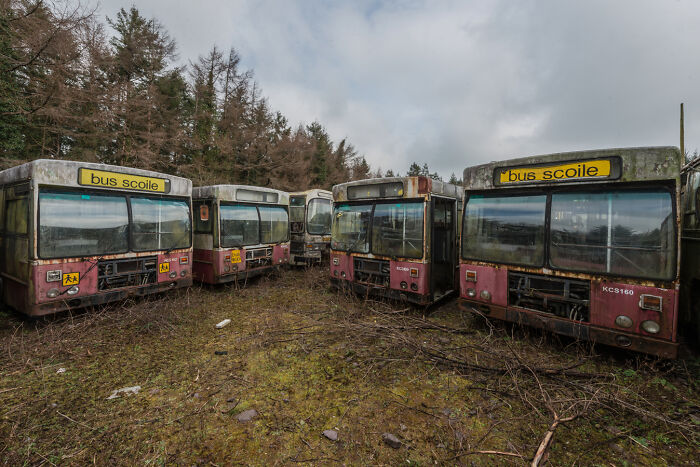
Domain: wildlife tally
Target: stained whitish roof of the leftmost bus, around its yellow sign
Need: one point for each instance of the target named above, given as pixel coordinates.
(65, 173)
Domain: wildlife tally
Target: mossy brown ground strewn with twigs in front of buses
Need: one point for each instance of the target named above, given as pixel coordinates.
(450, 388)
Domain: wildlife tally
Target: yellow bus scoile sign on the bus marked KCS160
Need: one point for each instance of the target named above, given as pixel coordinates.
(554, 173)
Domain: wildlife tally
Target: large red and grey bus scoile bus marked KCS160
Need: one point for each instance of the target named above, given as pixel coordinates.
(584, 244)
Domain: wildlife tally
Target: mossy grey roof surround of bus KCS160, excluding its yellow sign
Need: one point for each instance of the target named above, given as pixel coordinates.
(638, 164)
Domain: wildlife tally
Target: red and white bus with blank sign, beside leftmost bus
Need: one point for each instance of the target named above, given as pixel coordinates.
(239, 232)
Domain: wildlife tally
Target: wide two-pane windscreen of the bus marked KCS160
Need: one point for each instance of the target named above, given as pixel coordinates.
(596, 240)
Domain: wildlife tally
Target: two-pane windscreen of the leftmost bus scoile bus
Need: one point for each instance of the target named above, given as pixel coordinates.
(58, 205)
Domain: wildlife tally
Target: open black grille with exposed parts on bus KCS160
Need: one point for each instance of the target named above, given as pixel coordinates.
(561, 297)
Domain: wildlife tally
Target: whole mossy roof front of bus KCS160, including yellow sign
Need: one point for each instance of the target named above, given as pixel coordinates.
(568, 168)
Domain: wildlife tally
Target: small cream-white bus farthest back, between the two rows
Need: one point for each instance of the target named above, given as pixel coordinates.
(310, 226)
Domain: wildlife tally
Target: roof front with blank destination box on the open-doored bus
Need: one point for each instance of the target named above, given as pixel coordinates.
(410, 187)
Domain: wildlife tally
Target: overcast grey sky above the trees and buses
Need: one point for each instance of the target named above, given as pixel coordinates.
(457, 83)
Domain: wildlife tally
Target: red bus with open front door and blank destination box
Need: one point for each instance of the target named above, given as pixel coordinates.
(396, 237)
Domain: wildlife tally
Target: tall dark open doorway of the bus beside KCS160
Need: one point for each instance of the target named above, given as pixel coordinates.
(443, 244)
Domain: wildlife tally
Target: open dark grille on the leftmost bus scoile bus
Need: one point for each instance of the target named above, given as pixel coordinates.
(117, 273)
